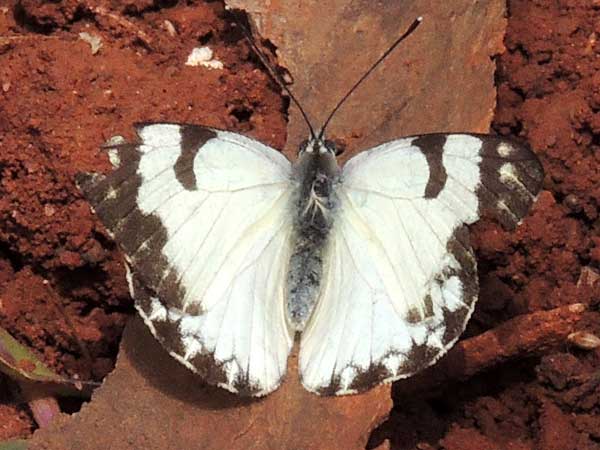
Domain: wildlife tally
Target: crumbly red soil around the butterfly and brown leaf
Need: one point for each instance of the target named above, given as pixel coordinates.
(62, 289)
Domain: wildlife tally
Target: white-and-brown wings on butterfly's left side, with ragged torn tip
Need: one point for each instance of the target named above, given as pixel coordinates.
(202, 216)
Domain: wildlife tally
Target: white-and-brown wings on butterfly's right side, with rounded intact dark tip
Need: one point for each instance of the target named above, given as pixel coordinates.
(399, 281)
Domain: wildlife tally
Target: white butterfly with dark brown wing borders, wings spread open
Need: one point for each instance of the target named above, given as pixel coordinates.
(232, 251)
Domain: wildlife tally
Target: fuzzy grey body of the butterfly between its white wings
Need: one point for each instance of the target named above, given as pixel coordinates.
(316, 172)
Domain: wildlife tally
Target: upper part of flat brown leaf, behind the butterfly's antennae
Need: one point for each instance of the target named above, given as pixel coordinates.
(440, 79)
